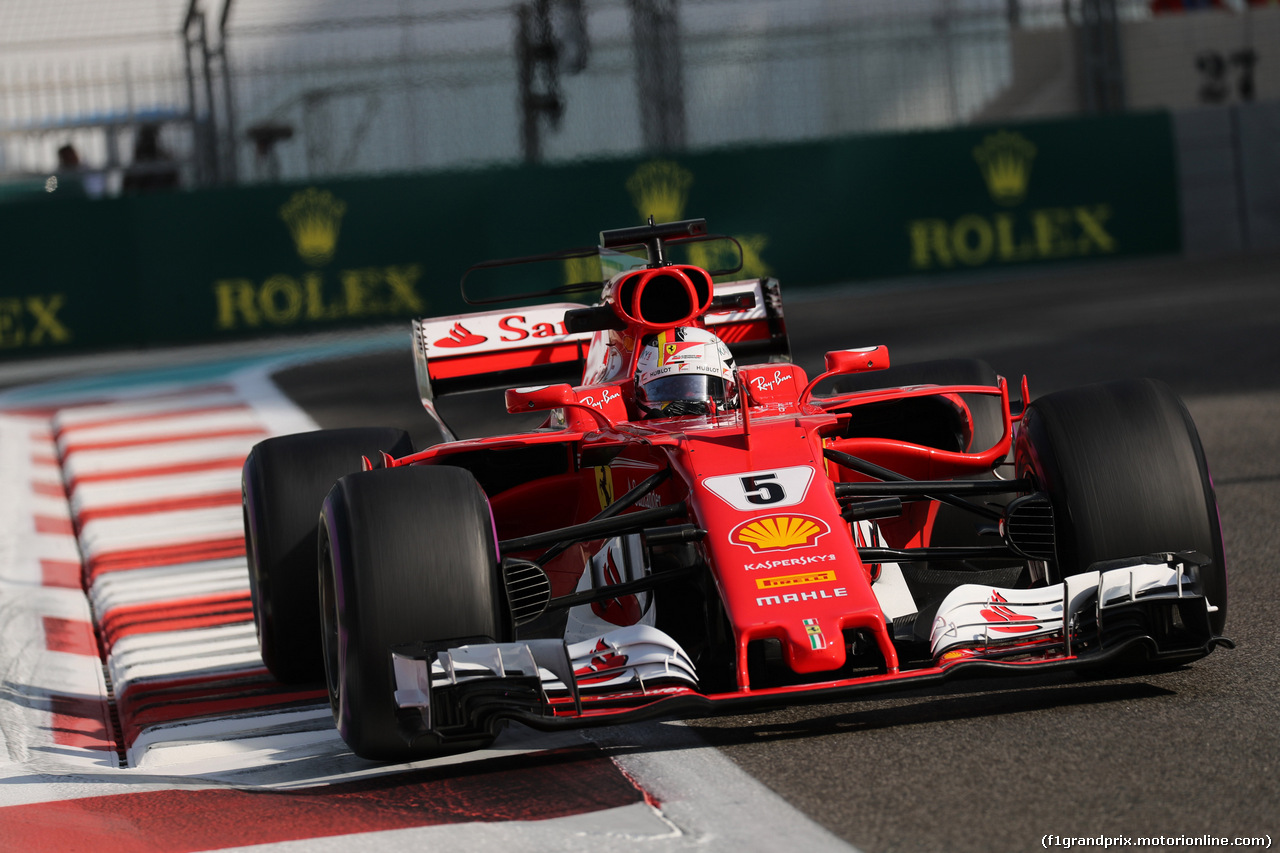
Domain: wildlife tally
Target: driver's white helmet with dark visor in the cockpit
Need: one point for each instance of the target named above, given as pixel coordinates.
(684, 372)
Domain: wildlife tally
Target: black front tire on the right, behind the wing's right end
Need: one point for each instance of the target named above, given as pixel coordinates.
(1126, 472)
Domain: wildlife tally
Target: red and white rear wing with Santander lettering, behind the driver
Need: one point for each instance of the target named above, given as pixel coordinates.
(514, 348)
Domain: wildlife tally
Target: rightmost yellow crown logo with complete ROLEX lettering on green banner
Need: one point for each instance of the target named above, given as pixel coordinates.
(1014, 235)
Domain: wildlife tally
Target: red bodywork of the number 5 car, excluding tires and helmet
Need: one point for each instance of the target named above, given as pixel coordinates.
(762, 490)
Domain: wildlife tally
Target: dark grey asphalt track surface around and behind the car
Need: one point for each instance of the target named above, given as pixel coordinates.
(998, 765)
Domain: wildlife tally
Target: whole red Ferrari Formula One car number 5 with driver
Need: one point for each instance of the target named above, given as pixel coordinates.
(685, 533)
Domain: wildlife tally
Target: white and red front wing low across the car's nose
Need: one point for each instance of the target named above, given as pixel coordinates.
(1148, 609)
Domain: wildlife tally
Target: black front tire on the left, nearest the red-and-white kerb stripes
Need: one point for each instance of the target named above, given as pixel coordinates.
(408, 555)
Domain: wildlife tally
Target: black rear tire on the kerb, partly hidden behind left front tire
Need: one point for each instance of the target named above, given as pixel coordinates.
(284, 486)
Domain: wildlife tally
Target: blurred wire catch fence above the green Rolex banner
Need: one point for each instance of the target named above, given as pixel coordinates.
(243, 92)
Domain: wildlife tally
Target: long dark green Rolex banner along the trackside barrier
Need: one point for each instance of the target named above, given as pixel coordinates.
(290, 258)
